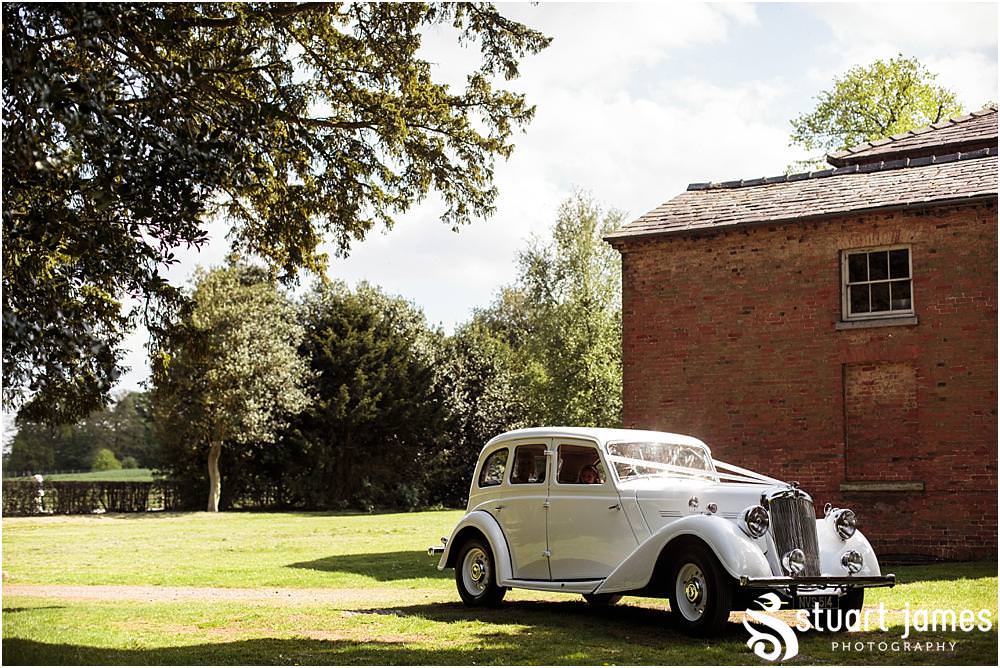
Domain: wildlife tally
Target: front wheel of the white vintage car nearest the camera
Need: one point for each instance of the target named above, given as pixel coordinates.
(700, 591)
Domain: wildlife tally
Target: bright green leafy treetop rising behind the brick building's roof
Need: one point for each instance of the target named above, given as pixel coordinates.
(871, 102)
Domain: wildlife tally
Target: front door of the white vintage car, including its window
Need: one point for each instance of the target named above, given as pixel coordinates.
(588, 532)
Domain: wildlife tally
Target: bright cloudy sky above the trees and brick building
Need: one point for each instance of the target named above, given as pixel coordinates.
(634, 102)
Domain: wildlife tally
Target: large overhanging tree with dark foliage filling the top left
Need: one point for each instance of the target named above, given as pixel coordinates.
(126, 126)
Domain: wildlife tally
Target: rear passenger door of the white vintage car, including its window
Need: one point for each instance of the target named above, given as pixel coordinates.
(523, 513)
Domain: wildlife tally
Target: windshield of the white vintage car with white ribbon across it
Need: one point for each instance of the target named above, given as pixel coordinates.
(633, 460)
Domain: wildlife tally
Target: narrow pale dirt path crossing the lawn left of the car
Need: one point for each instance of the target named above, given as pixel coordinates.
(286, 596)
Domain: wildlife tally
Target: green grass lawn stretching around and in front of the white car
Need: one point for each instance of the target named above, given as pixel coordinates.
(365, 592)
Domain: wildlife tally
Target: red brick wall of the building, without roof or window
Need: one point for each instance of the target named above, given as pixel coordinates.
(732, 337)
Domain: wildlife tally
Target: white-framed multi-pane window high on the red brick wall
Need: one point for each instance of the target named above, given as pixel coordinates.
(877, 283)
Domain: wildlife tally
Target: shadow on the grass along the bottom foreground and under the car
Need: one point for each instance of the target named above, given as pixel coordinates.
(516, 633)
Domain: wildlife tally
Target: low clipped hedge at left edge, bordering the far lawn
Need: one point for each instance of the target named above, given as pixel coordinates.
(21, 497)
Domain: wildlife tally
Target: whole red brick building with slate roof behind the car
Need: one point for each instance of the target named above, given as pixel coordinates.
(838, 328)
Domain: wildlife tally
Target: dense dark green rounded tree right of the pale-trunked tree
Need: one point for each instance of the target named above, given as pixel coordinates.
(379, 412)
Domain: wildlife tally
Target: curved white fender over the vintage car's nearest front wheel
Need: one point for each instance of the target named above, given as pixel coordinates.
(738, 554)
